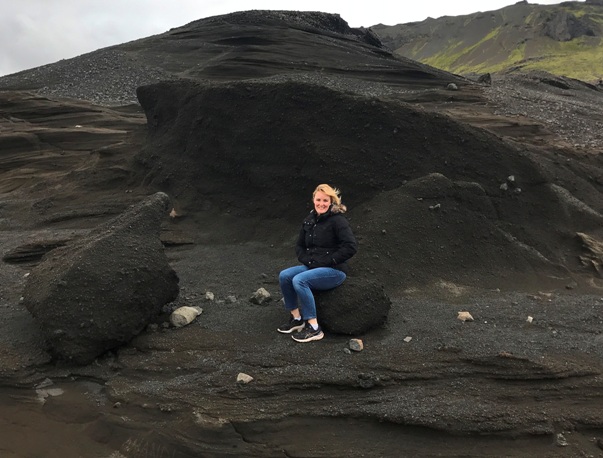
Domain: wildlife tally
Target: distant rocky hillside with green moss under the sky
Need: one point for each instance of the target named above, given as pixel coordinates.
(563, 39)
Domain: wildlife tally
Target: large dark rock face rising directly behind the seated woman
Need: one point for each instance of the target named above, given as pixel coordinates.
(275, 139)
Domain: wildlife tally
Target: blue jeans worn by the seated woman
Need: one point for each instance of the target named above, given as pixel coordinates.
(298, 282)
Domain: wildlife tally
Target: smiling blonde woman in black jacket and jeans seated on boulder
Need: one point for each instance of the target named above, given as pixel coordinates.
(324, 245)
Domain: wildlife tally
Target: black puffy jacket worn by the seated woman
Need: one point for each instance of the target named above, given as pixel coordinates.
(325, 241)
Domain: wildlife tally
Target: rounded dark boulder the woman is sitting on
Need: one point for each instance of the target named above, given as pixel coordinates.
(353, 308)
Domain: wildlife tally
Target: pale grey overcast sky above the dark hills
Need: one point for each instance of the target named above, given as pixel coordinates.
(39, 32)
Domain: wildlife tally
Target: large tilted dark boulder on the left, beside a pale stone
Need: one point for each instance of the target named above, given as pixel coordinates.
(98, 292)
